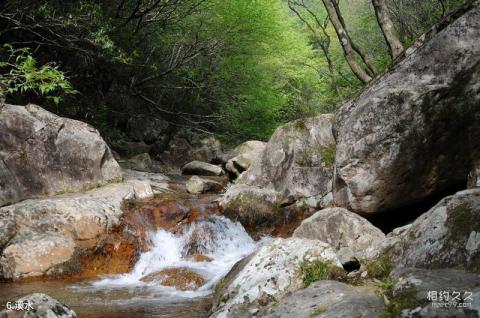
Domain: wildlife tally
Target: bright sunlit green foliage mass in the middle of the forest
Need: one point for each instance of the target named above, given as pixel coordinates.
(260, 79)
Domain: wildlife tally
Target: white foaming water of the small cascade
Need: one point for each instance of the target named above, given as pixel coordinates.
(226, 242)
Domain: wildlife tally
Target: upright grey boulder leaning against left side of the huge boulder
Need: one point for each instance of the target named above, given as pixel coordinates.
(298, 159)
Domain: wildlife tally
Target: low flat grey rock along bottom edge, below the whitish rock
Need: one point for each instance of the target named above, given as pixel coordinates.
(329, 299)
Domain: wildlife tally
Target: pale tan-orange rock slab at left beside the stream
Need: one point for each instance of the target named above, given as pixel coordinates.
(42, 236)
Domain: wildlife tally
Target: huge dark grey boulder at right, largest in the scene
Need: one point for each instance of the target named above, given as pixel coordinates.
(415, 130)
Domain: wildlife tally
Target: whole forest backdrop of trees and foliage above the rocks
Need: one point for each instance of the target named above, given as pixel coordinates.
(235, 68)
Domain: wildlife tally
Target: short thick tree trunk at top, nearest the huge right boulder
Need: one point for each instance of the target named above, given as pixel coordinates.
(394, 45)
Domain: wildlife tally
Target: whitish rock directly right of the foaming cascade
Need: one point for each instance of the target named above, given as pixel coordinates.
(267, 275)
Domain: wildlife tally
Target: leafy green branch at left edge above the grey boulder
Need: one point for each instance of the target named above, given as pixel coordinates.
(20, 73)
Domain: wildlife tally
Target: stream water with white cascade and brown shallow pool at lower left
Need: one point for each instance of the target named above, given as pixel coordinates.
(127, 295)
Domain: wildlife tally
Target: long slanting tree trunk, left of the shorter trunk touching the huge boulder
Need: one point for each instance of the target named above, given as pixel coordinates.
(345, 42)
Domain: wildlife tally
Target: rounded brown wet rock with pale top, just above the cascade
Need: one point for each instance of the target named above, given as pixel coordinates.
(251, 206)
